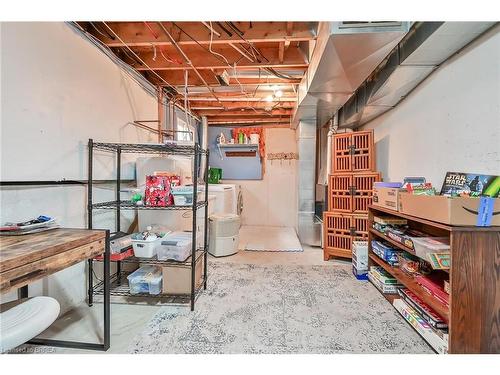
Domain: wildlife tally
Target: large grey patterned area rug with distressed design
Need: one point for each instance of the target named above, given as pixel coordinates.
(281, 309)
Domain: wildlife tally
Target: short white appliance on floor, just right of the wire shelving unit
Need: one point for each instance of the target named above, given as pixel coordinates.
(224, 234)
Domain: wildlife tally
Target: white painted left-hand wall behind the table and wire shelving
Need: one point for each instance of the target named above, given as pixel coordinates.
(58, 90)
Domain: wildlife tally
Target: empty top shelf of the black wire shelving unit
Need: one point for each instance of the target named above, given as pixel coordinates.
(144, 148)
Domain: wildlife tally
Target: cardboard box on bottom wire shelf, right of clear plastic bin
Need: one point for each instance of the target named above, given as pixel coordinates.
(177, 280)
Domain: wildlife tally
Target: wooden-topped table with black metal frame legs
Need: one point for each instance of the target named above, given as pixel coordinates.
(27, 258)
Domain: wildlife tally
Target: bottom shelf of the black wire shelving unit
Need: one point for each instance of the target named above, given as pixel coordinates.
(119, 287)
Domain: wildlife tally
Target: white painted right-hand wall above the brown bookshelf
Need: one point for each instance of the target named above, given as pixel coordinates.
(451, 122)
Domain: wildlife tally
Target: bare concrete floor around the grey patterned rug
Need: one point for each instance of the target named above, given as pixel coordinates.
(85, 323)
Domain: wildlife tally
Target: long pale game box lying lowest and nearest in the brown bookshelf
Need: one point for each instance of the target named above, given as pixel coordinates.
(437, 340)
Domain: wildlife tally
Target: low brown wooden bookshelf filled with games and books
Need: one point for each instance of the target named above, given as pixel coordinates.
(473, 316)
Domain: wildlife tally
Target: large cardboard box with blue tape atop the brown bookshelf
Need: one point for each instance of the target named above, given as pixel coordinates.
(446, 210)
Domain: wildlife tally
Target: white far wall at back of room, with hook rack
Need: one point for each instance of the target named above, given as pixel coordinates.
(273, 200)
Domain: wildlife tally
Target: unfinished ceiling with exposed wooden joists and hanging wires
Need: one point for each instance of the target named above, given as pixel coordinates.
(234, 72)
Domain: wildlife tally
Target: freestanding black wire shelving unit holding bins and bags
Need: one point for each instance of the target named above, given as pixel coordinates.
(119, 284)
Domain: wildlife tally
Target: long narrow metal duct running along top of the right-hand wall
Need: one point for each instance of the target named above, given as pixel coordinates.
(416, 56)
